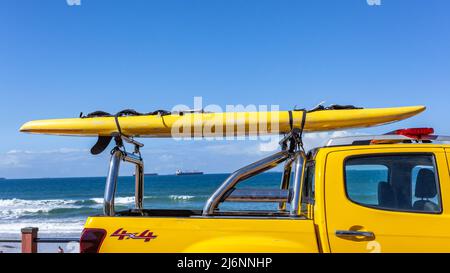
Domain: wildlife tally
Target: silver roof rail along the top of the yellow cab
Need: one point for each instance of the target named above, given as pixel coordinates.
(382, 139)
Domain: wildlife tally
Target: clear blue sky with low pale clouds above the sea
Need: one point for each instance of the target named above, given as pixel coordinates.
(57, 60)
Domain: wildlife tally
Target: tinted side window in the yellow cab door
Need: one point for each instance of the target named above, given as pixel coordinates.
(394, 182)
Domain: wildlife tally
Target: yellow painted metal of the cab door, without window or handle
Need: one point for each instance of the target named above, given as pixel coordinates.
(395, 231)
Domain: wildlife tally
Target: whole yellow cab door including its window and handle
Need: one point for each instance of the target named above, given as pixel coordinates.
(388, 200)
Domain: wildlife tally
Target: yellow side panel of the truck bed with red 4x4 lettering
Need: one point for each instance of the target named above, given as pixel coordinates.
(212, 235)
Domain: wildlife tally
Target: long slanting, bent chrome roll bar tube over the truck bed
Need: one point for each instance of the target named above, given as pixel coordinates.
(243, 173)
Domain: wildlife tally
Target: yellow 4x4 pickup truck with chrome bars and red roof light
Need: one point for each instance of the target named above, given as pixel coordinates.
(380, 193)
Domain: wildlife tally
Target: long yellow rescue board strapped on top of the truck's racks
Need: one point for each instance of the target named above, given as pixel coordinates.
(221, 124)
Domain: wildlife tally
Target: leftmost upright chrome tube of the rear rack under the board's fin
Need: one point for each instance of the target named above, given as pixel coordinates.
(111, 183)
